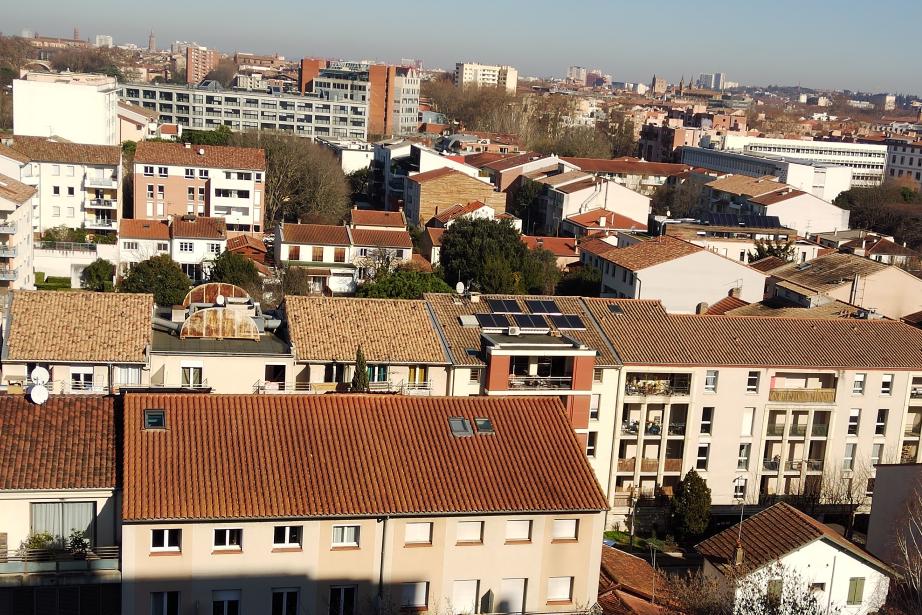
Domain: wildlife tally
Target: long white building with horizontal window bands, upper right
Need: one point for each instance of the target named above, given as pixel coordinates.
(867, 161)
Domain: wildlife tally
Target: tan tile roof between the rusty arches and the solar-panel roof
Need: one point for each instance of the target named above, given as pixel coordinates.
(389, 330)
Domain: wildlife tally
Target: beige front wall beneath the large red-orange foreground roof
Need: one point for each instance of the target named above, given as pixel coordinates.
(256, 569)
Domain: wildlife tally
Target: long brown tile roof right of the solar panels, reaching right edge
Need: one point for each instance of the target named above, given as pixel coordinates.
(645, 334)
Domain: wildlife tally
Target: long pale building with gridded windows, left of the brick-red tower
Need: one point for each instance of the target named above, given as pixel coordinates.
(312, 115)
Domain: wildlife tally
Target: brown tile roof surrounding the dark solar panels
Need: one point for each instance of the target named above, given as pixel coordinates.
(464, 342)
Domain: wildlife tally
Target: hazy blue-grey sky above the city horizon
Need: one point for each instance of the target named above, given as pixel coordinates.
(840, 44)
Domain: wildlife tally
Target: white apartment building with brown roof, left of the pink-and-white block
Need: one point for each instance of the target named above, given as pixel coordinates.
(77, 185)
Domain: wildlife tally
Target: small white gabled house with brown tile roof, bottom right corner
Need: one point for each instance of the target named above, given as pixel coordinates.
(780, 542)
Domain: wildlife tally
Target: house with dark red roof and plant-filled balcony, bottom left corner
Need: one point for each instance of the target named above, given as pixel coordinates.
(44, 488)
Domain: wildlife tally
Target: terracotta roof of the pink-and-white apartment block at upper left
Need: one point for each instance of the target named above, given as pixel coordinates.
(215, 156)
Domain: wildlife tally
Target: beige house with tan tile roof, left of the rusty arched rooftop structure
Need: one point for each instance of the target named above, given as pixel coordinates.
(89, 342)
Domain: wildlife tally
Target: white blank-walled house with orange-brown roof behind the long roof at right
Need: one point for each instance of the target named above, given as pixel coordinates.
(681, 274)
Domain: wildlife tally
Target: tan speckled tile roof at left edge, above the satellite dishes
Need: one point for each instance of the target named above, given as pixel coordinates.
(79, 326)
